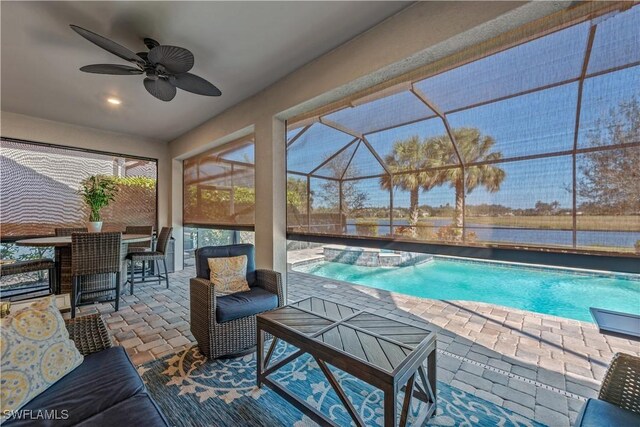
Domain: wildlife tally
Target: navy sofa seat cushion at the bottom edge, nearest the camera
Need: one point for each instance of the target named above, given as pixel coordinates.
(139, 410)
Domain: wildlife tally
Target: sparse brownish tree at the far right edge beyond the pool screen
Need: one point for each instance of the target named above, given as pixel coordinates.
(609, 178)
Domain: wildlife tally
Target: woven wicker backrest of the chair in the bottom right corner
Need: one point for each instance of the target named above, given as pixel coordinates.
(620, 385)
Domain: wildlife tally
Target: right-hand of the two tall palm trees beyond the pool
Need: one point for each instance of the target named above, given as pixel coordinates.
(474, 148)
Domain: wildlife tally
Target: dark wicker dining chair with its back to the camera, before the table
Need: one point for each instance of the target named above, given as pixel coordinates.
(95, 260)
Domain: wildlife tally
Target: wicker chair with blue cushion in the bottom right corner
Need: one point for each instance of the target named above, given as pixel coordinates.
(618, 402)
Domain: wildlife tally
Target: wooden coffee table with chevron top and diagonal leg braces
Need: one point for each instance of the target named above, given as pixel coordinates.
(385, 353)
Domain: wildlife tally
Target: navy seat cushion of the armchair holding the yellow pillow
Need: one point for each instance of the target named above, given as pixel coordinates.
(243, 304)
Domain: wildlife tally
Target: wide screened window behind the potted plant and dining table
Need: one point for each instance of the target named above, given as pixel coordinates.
(39, 187)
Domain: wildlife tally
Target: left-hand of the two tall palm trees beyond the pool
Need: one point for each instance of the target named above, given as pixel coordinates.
(409, 162)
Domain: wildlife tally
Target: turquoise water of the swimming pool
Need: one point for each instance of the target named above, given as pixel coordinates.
(558, 293)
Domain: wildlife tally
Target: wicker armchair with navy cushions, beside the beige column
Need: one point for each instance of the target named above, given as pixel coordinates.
(218, 337)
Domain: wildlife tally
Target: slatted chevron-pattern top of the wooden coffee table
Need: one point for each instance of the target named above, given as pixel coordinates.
(376, 341)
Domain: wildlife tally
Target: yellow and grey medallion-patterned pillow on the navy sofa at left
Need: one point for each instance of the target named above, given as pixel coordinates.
(35, 353)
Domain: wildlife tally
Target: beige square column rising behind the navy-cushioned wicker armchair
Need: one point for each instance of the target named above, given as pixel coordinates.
(271, 240)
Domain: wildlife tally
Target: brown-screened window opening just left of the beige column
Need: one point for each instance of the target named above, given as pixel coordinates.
(219, 188)
